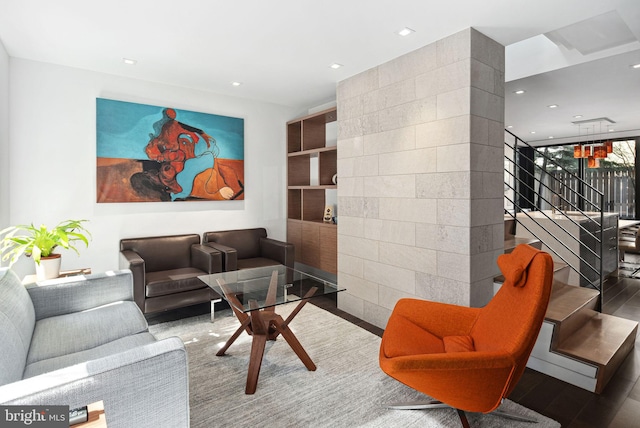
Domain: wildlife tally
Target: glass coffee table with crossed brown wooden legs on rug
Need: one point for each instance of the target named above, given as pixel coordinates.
(253, 295)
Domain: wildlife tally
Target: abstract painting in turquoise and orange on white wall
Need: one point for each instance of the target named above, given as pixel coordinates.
(149, 153)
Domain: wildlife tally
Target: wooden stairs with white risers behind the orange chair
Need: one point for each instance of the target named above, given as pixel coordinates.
(578, 344)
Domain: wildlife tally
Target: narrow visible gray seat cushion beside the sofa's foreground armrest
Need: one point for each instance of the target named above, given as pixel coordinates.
(111, 348)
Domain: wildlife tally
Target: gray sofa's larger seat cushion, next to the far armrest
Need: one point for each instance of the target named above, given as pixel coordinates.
(79, 331)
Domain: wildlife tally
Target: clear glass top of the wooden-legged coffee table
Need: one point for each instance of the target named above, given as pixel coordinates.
(258, 288)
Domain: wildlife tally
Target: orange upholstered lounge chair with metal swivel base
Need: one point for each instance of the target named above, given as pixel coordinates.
(470, 358)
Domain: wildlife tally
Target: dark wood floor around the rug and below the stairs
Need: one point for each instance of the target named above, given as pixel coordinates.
(617, 407)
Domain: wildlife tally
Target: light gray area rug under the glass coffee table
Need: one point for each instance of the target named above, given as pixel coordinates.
(348, 389)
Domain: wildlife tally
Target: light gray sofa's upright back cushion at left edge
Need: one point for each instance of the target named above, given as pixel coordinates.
(17, 320)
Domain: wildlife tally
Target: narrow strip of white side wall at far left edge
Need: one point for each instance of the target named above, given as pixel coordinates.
(4, 137)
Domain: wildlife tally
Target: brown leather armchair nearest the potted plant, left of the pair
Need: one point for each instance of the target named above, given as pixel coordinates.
(166, 268)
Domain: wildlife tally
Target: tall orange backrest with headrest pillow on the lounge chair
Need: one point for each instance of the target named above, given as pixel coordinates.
(513, 318)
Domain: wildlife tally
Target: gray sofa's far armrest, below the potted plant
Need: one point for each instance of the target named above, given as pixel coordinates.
(78, 293)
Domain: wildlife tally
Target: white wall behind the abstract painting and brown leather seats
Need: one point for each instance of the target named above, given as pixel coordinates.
(53, 161)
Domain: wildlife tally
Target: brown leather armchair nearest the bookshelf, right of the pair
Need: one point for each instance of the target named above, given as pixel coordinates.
(248, 248)
